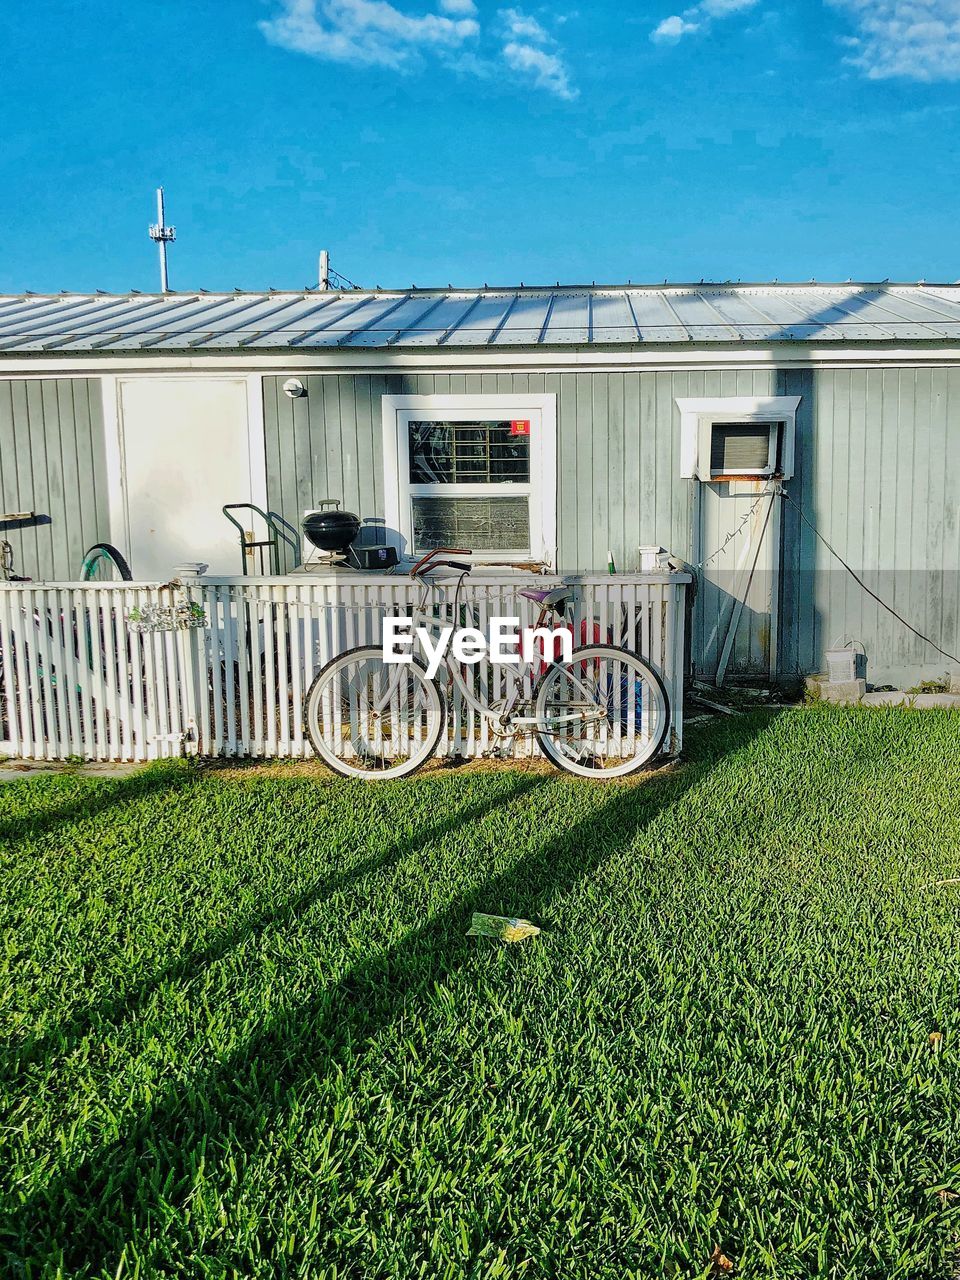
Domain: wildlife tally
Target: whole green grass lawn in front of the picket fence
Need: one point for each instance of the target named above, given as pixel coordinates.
(244, 1032)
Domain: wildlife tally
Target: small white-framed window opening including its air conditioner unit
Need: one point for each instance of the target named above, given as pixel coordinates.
(738, 436)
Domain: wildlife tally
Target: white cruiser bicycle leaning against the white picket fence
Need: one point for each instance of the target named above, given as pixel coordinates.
(604, 715)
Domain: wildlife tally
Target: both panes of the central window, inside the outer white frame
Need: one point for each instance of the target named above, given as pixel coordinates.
(470, 486)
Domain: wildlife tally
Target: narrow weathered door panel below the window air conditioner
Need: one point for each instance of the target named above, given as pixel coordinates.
(735, 619)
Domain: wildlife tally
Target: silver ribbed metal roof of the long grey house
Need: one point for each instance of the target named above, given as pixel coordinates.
(563, 317)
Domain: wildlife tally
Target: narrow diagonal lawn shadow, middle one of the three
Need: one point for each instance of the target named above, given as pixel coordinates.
(62, 1039)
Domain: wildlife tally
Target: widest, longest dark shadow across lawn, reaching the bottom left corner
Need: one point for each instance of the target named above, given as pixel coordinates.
(125, 1194)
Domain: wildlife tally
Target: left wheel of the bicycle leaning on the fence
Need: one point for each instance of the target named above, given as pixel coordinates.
(368, 720)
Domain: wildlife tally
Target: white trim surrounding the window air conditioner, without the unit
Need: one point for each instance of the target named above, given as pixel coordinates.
(698, 418)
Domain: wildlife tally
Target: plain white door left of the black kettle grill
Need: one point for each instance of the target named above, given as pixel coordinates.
(185, 455)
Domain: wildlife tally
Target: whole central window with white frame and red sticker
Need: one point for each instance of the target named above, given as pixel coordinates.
(477, 473)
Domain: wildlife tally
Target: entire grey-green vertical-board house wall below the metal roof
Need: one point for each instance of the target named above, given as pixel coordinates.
(877, 473)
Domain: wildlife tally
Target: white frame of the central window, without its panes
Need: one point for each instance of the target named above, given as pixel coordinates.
(400, 412)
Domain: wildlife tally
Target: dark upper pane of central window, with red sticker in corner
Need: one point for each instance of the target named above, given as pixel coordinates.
(469, 454)
